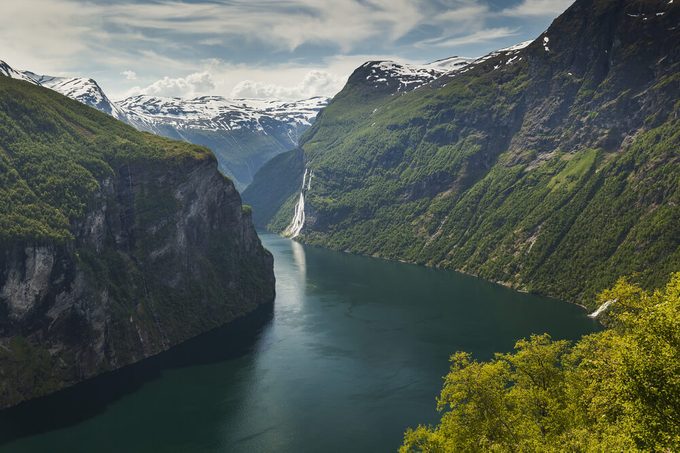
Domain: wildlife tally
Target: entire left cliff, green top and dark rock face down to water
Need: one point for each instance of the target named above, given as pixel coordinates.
(114, 244)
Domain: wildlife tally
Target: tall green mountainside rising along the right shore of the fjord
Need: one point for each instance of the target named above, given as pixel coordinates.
(551, 167)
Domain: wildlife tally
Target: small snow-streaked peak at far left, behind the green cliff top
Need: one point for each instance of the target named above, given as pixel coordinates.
(81, 89)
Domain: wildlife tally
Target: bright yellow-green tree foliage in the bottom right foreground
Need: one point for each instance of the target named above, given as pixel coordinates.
(616, 390)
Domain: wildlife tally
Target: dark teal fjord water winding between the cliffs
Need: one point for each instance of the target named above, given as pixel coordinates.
(352, 352)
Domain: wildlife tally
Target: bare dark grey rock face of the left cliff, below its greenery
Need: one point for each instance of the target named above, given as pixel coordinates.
(162, 252)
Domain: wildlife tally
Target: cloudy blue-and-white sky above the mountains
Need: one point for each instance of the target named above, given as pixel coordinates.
(286, 49)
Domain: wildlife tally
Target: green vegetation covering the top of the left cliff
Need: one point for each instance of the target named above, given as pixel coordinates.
(55, 152)
